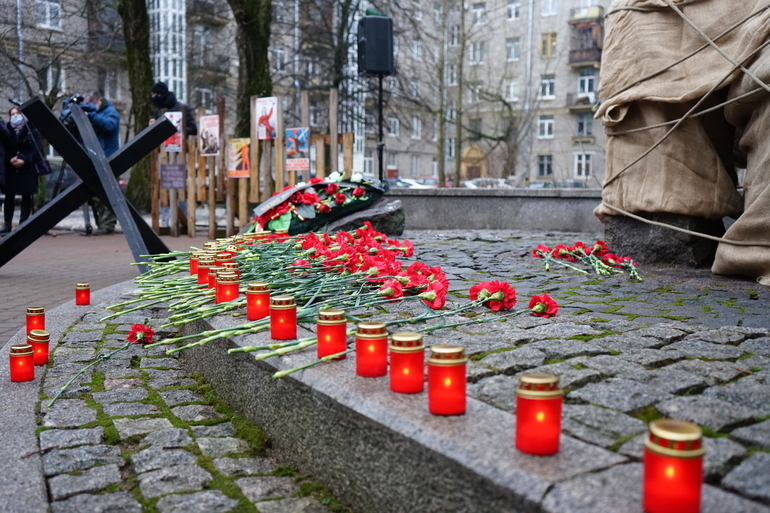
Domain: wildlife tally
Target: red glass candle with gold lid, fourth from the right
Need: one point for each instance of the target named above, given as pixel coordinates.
(407, 363)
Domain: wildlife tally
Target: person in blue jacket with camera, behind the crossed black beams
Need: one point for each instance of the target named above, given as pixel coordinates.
(105, 119)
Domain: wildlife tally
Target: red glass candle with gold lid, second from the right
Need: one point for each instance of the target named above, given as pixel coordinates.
(538, 414)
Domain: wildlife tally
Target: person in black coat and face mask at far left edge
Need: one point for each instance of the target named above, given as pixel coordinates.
(22, 146)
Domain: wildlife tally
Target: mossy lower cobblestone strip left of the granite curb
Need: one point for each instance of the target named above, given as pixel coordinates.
(138, 433)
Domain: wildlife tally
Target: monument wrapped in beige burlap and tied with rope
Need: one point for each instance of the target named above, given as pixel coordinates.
(693, 171)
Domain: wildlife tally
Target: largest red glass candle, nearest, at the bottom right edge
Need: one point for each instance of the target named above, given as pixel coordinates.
(673, 467)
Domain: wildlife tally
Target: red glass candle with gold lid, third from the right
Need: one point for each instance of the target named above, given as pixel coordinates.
(446, 380)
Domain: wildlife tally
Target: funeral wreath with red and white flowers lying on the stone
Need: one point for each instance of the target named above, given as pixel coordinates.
(308, 207)
